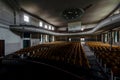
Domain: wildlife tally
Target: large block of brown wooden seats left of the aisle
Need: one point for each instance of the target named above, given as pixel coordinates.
(67, 52)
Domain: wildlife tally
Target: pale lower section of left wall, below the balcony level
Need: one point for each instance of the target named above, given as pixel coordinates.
(12, 41)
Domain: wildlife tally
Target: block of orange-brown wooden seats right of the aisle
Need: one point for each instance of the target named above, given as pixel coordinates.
(108, 56)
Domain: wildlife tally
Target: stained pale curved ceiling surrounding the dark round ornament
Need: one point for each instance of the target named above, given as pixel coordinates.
(51, 10)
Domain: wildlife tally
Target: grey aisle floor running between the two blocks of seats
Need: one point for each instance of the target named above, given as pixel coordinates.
(97, 72)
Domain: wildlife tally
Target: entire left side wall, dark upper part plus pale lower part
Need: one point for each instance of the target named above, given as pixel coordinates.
(12, 41)
